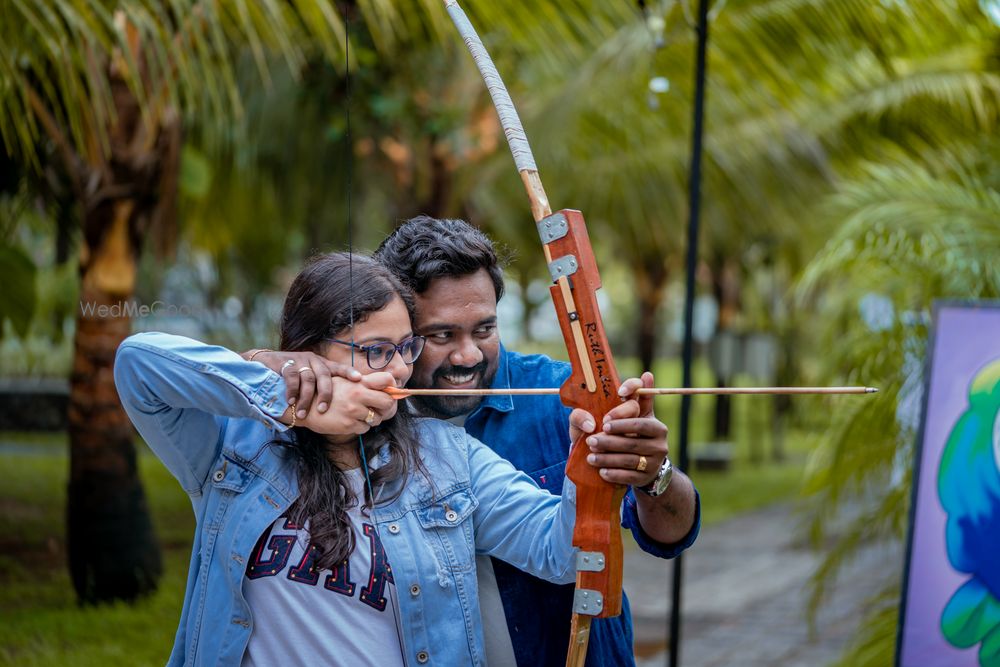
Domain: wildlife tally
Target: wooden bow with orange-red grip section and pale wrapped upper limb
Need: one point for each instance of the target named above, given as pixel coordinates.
(593, 382)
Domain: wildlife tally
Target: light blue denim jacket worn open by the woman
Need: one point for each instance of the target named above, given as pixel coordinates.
(211, 418)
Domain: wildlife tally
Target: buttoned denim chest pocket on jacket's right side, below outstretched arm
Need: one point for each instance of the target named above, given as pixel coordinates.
(447, 524)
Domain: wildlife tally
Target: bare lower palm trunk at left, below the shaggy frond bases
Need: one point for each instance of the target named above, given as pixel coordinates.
(112, 549)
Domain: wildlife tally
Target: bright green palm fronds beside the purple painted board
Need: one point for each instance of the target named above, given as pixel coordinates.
(920, 229)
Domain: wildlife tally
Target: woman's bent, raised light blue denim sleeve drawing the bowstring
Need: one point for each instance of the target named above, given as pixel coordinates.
(178, 392)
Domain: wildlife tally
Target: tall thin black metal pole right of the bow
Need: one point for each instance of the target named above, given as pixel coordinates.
(687, 355)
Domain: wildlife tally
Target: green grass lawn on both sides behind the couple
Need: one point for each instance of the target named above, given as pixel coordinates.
(40, 623)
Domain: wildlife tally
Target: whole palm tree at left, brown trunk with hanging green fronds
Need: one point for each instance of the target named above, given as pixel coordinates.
(100, 92)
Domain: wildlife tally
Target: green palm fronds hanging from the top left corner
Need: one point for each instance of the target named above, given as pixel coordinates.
(53, 51)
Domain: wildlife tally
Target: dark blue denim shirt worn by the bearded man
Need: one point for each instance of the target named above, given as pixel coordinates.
(522, 429)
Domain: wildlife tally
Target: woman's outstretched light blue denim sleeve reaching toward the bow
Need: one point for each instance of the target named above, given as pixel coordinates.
(520, 523)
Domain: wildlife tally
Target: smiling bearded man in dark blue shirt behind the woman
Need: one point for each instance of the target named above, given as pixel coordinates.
(457, 277)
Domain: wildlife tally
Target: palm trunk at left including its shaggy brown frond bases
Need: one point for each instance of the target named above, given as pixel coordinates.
(124, 183)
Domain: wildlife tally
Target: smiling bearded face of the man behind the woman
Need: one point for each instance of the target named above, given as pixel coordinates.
(459, 318)
